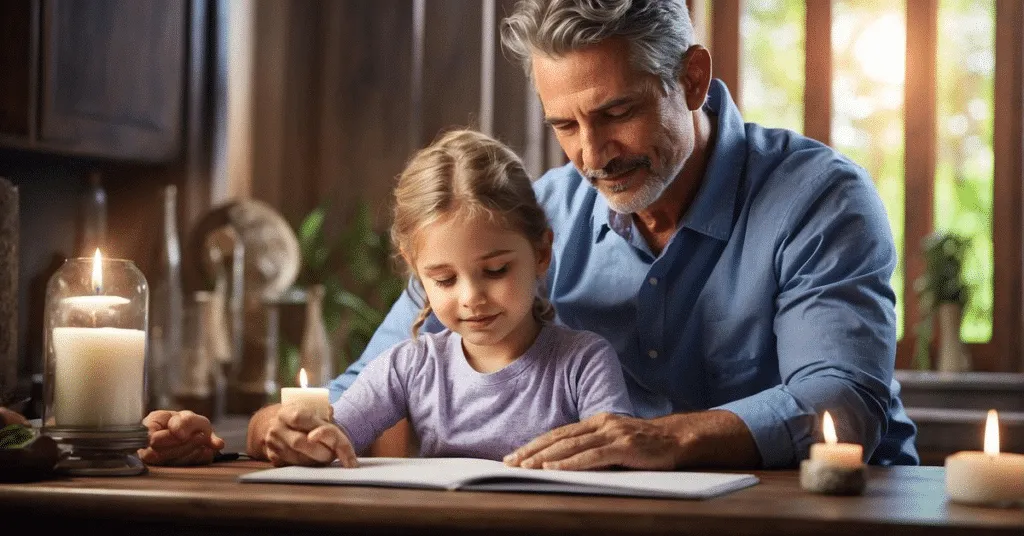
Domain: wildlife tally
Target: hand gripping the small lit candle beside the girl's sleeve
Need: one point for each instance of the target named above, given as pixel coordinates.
(295, 436)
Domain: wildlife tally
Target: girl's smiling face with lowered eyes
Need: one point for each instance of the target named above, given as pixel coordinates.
(482, 280)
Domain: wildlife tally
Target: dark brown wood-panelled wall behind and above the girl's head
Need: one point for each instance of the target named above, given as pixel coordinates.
(345, 93)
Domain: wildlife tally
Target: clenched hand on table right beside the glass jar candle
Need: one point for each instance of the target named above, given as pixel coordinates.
(180, 438)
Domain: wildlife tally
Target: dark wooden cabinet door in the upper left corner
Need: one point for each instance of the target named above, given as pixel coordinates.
(113, 77)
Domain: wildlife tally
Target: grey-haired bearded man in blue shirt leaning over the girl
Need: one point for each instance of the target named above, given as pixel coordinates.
(741, 273)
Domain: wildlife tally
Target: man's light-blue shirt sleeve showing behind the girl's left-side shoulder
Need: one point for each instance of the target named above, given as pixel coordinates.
(397, 327)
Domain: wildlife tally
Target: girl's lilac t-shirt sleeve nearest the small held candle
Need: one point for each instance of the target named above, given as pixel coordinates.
(377, 400)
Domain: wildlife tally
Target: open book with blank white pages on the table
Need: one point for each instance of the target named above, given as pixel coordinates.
(480, 475)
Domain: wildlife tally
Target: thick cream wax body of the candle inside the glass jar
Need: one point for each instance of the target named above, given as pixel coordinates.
(99, 377)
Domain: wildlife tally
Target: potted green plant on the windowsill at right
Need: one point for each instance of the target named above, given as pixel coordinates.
(943, 296)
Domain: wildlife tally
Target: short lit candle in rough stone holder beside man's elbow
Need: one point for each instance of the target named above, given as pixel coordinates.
(834, 468)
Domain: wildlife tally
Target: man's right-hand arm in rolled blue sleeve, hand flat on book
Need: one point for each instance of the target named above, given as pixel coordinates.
(836, 332)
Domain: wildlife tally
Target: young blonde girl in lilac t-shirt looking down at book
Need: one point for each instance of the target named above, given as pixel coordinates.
(478, 246)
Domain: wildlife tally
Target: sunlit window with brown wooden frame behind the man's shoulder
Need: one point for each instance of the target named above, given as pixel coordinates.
(927, 98)
